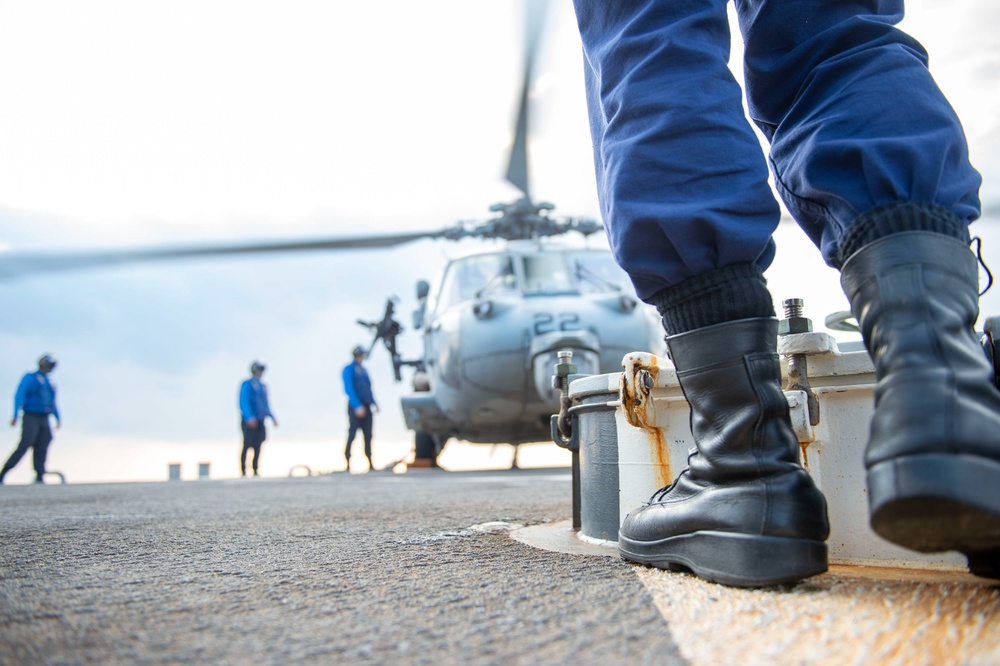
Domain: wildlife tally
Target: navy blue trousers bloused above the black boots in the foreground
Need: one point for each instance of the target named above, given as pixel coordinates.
(845, 99)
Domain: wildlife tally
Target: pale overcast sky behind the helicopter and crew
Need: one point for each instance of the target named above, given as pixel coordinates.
(133, 123)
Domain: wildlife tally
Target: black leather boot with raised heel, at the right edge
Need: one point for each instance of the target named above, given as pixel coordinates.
(933, 457)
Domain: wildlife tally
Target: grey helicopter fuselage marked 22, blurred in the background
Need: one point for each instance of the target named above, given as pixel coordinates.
(493, 329)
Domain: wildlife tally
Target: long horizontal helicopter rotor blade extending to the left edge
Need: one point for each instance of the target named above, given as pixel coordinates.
(13, 264)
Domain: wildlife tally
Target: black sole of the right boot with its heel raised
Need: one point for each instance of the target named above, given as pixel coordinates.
(938, 502)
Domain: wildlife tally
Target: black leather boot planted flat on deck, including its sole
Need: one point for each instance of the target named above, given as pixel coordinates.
(744, 512)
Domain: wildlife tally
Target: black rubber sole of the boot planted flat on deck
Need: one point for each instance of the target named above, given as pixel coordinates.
(740, 560)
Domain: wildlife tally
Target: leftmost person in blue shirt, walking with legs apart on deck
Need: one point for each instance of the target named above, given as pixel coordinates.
(36, 398)
